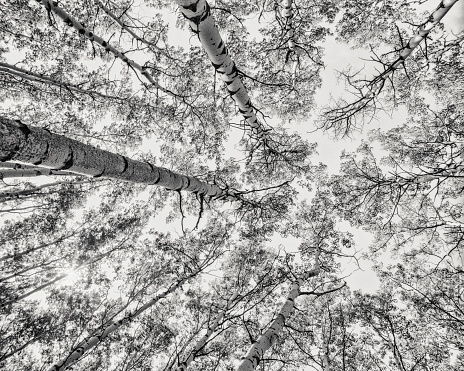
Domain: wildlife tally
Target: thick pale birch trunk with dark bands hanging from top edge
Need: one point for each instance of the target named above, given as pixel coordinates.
(199, 16)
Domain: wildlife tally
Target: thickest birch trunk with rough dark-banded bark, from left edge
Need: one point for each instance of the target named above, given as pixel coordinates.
(37, 146)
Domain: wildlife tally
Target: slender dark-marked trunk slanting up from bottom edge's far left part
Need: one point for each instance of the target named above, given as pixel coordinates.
(103, 332)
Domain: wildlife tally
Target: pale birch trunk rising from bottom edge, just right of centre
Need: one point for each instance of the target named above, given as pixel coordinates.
(268, 338)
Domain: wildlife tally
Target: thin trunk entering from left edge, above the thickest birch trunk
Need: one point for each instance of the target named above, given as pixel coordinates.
(36, 77)
